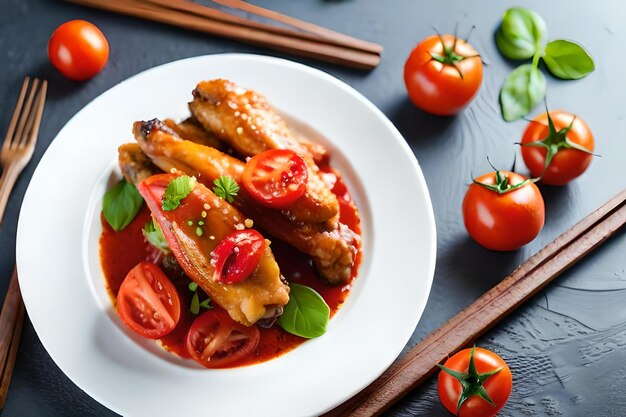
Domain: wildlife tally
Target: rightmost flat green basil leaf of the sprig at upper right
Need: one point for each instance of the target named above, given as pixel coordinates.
(568, 60)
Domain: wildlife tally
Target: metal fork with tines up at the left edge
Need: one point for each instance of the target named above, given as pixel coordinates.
(19, 143)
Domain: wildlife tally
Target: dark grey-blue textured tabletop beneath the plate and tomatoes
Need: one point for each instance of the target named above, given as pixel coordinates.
(566, 347)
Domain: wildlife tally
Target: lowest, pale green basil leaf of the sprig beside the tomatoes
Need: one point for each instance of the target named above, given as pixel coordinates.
(522, 90)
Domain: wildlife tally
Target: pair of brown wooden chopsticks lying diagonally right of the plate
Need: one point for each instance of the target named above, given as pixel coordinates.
(460, 331)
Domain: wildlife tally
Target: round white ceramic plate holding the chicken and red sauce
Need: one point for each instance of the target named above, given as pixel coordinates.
(63, 286)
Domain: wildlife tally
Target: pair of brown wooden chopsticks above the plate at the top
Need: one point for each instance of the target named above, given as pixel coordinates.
(301, 38)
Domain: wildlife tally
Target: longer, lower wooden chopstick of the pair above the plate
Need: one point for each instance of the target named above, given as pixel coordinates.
(309, 48)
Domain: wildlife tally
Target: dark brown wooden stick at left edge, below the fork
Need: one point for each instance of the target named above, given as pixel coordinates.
(10, 326)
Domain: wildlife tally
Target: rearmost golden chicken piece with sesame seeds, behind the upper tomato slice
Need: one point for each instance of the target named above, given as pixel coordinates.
(247, 122)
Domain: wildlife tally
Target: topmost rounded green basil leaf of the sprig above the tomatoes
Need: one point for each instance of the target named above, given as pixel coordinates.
(521, 32)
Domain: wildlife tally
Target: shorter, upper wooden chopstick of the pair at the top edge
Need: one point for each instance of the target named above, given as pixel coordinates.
(326, 34)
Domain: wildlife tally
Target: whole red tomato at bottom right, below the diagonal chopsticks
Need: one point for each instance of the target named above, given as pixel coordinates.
(498, 386)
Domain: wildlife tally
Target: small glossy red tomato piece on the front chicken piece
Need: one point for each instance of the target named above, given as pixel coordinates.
(236, 257)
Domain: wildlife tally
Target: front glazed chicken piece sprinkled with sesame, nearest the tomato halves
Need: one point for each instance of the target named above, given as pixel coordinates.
(262, 295)
